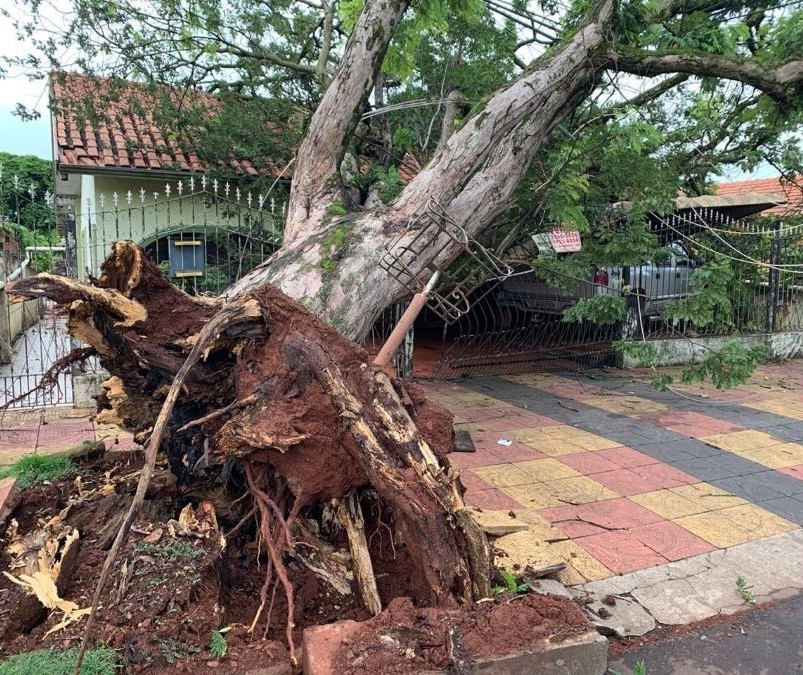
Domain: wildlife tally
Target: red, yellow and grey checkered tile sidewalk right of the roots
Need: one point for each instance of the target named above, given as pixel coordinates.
(615, 478)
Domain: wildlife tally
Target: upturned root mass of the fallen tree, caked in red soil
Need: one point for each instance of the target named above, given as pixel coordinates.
(287, 409)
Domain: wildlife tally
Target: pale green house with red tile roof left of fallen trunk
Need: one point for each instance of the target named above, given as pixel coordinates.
(120, 174)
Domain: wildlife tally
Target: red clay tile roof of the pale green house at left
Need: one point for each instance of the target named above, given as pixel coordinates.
(123, 134)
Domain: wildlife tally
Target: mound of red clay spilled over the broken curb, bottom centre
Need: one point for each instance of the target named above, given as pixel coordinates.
(406, 639)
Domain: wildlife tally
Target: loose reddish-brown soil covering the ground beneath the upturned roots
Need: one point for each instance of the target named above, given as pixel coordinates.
(171, 589)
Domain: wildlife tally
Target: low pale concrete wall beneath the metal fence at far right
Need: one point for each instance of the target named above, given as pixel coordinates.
(684, 351)
